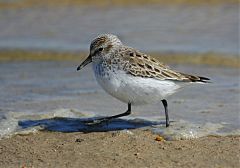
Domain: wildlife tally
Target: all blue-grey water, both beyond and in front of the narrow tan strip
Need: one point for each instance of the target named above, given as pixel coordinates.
(54, 96)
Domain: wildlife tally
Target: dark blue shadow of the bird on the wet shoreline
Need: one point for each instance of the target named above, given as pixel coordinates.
(62, 124)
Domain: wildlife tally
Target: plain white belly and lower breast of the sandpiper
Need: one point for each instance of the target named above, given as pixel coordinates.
(136, 90)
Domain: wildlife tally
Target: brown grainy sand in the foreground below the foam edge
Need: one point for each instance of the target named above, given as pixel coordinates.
(137, 148)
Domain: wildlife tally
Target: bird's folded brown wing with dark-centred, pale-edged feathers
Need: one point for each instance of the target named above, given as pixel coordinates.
(140, 64)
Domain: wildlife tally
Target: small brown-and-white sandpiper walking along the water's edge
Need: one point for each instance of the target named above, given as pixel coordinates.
(133, 77)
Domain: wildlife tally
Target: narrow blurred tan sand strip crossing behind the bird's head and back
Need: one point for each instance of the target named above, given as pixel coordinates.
(210, 58)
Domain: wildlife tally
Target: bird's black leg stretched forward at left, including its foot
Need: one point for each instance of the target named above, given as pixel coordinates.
(105, 119)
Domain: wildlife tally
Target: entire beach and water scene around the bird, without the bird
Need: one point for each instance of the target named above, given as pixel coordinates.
(44, 101)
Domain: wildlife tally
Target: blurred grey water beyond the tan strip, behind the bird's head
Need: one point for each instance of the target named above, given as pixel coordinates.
(212, 28)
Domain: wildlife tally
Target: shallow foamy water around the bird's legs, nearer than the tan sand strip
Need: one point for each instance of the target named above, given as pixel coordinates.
(54, 96)
